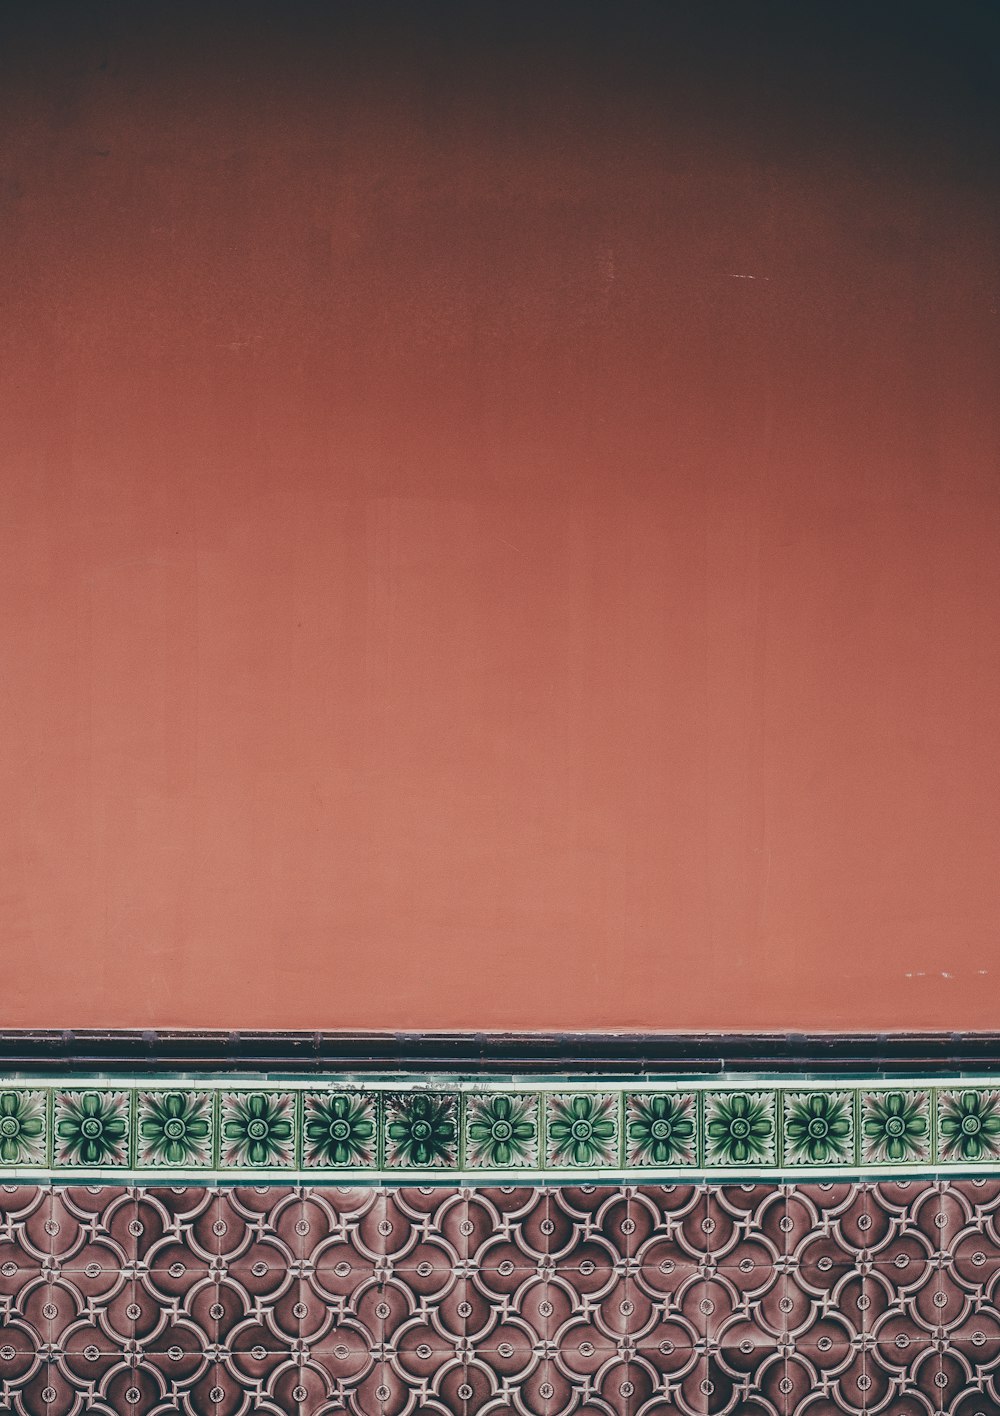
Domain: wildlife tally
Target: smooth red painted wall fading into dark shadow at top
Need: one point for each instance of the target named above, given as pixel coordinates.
(499, 518)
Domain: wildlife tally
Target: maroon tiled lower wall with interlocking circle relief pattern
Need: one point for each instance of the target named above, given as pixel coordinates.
(618, 1301)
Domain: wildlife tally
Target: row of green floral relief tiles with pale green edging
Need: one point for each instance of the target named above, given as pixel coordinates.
(448, 1129)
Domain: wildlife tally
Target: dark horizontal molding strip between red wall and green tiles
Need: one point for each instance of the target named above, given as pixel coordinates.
(53, 1051)
